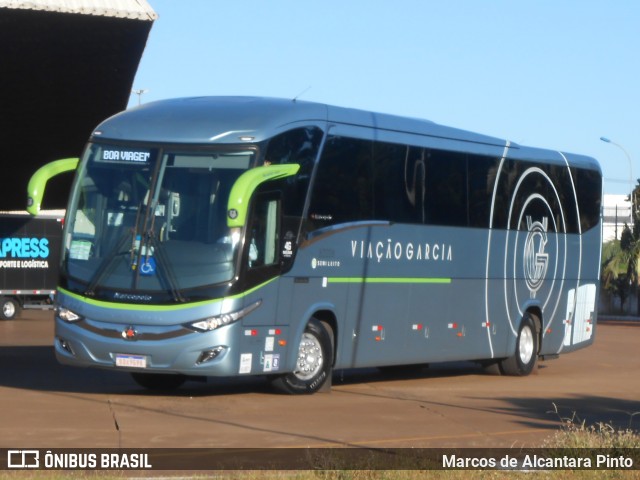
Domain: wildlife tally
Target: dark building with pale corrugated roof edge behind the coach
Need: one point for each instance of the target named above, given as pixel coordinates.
(65, 65)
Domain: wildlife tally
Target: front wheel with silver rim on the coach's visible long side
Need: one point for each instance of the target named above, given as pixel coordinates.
(314, 363)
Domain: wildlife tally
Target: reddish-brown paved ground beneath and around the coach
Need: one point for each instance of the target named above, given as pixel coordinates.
(46, 405)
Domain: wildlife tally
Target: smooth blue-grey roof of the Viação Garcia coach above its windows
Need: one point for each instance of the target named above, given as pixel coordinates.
(233, 120)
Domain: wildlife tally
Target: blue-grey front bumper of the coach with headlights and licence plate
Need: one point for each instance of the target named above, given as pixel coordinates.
(227, 351)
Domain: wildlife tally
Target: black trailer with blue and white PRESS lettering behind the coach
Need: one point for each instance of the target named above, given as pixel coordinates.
(29, 261)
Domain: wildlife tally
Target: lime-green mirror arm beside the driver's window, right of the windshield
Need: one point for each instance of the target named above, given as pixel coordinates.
(246, 184)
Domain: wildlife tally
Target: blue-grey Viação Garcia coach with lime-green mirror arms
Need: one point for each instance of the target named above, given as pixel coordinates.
(250, 236)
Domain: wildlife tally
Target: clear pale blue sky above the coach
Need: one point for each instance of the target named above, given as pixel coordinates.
(555, 74)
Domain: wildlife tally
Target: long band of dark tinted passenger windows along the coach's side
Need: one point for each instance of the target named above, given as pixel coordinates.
(360, 180)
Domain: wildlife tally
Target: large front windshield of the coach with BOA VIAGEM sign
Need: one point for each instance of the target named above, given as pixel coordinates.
(152, 221)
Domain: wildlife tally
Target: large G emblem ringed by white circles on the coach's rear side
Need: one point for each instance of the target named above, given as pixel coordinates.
(532, 259)
